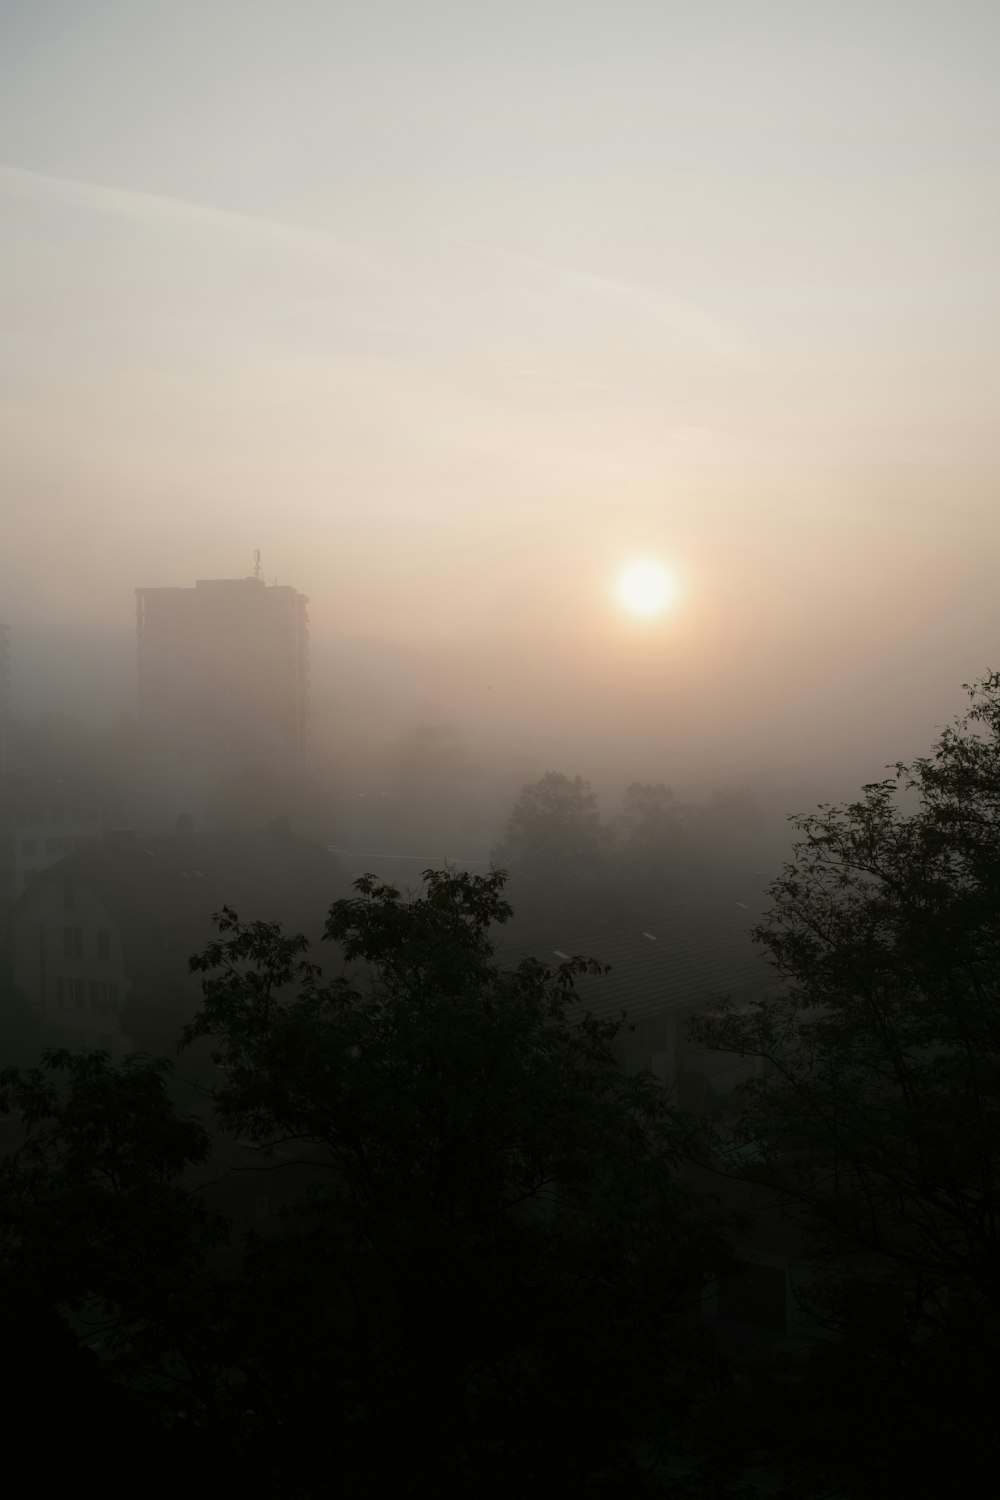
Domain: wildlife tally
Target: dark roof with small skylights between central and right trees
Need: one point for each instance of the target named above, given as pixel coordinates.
(689, 955)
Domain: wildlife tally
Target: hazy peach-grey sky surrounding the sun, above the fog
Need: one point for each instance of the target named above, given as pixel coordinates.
(454, 308)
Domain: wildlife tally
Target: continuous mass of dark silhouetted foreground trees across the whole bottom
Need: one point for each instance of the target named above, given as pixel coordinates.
(490, 1276)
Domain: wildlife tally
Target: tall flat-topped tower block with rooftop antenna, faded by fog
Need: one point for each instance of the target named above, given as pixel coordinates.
(224, 677)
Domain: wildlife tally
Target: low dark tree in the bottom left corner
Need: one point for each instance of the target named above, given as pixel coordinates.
(103, 1253)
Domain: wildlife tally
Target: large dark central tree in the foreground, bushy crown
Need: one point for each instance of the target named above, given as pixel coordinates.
(496, 1280)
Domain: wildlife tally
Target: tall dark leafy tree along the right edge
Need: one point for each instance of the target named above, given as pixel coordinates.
(878, 1111)
